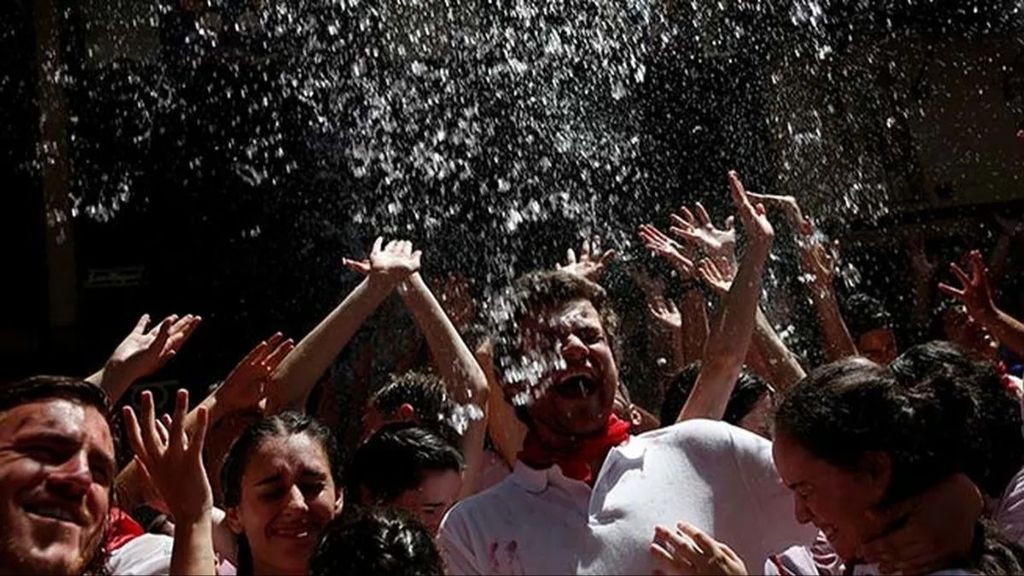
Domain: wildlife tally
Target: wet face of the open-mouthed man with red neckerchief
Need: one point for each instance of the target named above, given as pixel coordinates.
(578, 391)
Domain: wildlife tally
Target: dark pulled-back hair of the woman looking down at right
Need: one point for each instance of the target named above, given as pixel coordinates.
(843, 410)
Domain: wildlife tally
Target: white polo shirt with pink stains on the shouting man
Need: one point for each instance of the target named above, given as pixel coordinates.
(717, 477)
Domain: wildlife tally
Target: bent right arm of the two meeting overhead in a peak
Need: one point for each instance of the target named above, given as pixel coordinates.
(455, 363)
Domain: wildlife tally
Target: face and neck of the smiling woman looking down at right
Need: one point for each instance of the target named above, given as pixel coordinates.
(835, 500)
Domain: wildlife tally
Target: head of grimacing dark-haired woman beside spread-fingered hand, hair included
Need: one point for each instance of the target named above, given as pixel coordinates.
(282, 486)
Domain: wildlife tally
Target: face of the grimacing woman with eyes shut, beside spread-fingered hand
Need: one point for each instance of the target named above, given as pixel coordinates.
(288, 497)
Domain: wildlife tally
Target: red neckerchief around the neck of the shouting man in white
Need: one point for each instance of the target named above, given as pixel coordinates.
(576, 465)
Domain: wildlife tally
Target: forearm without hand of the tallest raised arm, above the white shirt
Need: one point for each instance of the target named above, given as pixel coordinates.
(728, 347)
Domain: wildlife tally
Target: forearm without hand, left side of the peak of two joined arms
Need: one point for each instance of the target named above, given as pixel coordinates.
(295, 378)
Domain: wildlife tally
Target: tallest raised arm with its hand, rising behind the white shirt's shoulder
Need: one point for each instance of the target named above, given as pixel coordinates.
(728, 347)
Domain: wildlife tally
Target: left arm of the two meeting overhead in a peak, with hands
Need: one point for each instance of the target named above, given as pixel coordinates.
(298, 375)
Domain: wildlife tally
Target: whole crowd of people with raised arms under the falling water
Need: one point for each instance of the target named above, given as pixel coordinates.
(524, 452)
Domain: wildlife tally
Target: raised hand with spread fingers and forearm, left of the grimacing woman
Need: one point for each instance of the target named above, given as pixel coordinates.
(173, 462)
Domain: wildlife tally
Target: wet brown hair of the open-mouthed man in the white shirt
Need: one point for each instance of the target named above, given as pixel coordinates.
(545, 291)
